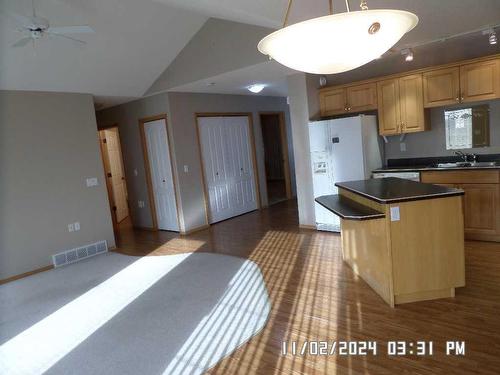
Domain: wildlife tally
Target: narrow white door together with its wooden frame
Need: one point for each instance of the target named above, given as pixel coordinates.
(159, 172)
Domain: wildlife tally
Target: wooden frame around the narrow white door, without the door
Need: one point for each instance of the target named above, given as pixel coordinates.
(147, 168)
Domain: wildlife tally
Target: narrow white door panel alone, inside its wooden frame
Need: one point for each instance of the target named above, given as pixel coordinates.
(161, 174)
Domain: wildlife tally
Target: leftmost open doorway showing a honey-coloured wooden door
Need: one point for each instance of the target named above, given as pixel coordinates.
(115, 174)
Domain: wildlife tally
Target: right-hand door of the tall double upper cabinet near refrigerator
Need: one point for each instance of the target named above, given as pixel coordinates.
(412, 103)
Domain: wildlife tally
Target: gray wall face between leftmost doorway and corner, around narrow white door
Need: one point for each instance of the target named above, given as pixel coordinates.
(127, 116)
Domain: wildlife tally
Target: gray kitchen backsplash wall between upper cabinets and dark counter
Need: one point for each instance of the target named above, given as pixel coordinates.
(433, 142)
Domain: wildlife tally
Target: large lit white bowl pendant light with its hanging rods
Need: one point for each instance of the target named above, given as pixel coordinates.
(338, 42)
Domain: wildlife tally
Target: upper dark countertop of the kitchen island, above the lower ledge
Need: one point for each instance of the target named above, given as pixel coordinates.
(392, 190)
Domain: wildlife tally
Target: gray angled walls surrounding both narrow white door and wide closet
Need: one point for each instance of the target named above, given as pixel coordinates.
(181, 109)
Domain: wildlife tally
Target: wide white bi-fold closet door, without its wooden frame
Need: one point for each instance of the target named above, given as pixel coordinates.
(228, 167)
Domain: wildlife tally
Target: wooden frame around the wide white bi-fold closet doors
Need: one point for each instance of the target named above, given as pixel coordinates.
(255, 167)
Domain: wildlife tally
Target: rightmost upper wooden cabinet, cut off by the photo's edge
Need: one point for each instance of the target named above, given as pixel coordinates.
(480, 81)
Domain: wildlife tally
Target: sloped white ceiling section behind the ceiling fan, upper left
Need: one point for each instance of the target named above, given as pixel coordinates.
(133, 44)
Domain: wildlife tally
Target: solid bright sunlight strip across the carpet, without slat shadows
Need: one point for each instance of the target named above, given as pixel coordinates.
(39, 347)
